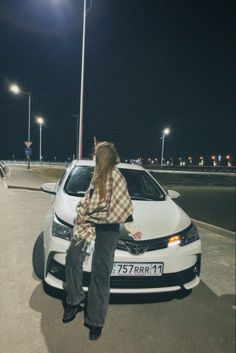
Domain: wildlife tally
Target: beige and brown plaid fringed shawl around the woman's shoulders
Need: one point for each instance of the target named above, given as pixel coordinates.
(115, 208)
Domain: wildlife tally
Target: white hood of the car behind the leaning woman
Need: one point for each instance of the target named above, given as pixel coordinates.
(154, 219)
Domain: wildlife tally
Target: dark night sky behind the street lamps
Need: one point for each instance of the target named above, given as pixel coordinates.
(149, 64)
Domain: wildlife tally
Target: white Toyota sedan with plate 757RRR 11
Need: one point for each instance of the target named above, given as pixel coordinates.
(167, 258)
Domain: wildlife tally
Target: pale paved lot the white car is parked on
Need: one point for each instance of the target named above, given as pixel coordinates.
(30, 319)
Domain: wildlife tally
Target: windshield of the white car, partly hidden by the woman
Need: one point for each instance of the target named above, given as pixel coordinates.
(141, 186)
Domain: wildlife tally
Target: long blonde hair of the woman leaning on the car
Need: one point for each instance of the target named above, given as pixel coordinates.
(106, 158)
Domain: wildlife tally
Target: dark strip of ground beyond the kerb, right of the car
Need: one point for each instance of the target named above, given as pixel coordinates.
(208, 196)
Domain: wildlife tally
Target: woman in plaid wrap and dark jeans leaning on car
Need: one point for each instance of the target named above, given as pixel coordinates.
(105, 205)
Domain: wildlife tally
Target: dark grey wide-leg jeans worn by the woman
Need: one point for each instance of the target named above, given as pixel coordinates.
(102, 263)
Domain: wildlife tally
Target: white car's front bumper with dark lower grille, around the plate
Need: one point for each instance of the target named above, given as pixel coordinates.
(181, 269)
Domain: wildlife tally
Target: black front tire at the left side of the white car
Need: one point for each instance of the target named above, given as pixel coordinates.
(38, 257)
